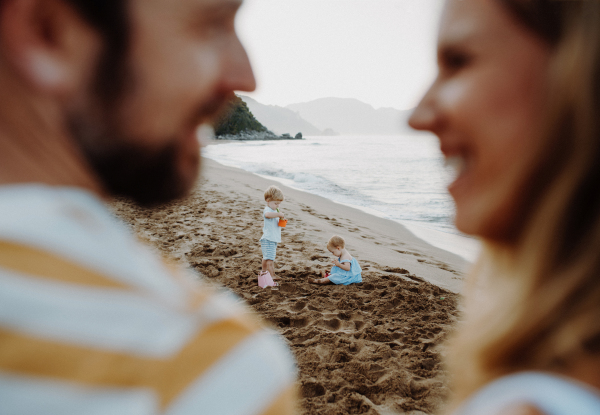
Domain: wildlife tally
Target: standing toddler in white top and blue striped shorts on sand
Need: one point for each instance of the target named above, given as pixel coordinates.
(271, 231)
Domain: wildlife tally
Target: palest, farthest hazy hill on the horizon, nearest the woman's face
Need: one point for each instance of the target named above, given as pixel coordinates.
(352, 117)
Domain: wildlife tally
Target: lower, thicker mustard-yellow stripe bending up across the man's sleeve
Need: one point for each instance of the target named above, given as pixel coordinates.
(31, 356)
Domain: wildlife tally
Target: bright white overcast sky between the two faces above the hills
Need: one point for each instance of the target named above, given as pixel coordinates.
(381, 52)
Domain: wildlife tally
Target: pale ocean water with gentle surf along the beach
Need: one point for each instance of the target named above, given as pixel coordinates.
(401, 178)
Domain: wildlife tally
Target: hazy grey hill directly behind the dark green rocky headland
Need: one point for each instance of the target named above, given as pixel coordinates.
(280, 120)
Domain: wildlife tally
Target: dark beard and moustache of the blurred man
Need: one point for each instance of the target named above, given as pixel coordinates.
(128, 167)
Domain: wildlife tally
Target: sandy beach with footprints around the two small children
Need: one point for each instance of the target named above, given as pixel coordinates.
(368, 348)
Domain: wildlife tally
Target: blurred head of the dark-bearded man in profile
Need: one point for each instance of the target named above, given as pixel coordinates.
(129, 80)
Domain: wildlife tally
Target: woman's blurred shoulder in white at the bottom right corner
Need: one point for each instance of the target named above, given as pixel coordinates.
(544, 394)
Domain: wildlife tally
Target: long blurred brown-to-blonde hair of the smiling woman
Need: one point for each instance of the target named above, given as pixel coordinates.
(536, 305)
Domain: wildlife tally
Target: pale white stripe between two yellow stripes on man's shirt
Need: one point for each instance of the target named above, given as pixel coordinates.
(123, 321)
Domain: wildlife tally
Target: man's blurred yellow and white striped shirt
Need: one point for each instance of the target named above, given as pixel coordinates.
(91, 322)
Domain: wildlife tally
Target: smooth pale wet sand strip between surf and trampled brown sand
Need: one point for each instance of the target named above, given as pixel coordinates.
(373, 238)
